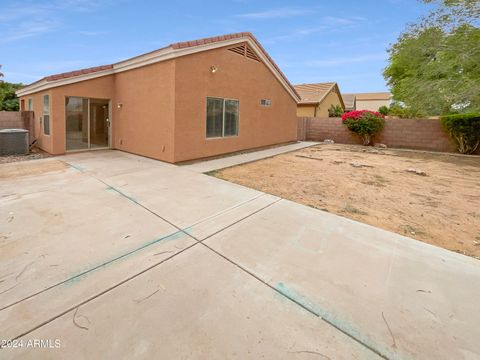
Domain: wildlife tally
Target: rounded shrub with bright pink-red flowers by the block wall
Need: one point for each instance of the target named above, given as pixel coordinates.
(364, 123)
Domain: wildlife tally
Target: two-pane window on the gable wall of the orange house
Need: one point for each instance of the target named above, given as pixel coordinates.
(222, 117)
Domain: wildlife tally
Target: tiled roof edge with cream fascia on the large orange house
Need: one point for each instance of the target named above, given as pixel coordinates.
(166, 53)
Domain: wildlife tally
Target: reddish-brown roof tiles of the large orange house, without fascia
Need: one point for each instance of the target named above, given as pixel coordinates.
(175, 46)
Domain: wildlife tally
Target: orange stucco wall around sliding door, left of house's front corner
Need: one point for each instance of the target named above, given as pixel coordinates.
(143, 125)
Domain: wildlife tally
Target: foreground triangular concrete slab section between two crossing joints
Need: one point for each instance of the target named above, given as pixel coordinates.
(196, 305)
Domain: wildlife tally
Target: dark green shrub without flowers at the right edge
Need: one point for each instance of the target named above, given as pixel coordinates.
(464, 129)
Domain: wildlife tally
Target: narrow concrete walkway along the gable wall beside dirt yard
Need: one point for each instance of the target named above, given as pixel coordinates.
(227, 161)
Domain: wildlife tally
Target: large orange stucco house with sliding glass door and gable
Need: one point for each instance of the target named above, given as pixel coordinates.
(185, 101)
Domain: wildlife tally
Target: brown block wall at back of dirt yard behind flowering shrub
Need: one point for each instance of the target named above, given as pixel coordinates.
(421, 134)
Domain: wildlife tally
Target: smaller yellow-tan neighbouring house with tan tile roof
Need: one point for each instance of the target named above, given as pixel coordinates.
(317, 98)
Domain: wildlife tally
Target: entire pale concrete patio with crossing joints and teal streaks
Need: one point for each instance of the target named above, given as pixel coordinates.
(111, 255)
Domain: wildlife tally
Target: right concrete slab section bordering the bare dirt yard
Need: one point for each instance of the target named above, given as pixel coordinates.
(401, 297)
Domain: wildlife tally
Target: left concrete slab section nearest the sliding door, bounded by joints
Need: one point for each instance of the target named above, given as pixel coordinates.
(50, 235)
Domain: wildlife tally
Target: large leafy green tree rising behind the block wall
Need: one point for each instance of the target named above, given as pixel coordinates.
(435, 65)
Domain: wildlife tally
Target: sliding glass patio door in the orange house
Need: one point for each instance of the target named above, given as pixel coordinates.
(87, 123)
